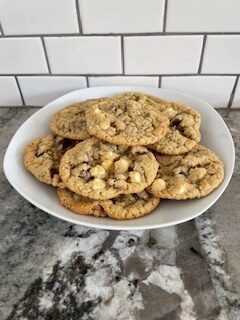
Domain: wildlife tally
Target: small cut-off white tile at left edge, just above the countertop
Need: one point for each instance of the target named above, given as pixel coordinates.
(10, 95)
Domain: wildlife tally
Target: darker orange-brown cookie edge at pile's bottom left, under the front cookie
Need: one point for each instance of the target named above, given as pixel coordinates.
(80, 204)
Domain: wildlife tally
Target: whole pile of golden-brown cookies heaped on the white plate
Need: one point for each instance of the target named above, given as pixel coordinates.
(119, 156)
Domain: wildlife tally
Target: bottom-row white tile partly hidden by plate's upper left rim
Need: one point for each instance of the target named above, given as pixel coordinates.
(38, 91)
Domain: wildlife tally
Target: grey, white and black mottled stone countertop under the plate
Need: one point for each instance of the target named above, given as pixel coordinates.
(51, 269)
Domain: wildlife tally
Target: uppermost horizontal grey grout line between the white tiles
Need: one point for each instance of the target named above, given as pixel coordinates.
(137, 34)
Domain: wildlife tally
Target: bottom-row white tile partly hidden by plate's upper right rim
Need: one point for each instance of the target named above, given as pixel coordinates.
(214, 90)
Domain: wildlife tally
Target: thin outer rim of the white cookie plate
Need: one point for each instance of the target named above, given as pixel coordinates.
(115, 227)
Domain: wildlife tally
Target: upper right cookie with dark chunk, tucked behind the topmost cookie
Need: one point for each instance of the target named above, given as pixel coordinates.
(184, 128)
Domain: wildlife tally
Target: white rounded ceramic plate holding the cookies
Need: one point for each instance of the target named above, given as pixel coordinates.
(215, 135)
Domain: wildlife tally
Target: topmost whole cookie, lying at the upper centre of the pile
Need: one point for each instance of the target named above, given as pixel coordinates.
(126, 122)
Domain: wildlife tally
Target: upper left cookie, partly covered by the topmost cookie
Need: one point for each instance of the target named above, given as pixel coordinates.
(70, 122)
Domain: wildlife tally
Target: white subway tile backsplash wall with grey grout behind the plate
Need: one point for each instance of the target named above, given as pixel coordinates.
(51, 47)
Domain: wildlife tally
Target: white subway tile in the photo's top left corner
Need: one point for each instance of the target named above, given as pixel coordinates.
(38, 17)
